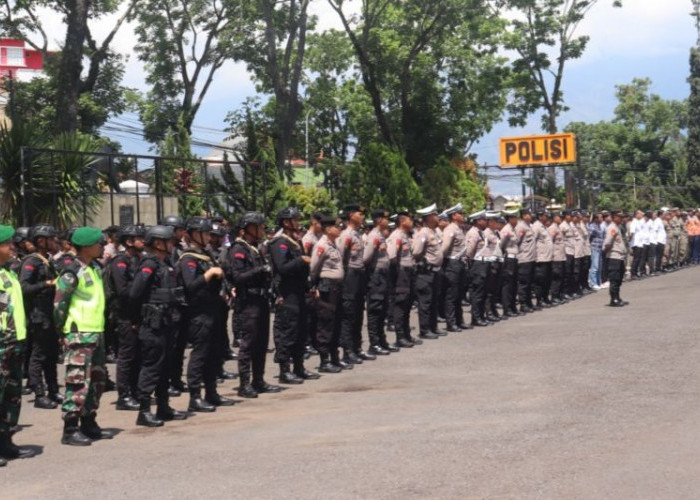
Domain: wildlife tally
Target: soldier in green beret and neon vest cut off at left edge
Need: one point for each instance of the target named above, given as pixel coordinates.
(12, 335)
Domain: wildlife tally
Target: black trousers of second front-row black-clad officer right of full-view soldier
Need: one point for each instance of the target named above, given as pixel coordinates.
(202, 368)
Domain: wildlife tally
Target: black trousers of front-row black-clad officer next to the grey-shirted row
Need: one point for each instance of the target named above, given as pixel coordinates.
(290, 327)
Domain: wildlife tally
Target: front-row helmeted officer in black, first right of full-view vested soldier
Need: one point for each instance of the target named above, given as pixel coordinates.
(153, 292)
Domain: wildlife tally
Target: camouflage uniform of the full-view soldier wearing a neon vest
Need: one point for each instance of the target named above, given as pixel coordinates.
(85, 351)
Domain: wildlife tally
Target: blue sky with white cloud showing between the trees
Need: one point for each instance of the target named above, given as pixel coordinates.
(645, 38)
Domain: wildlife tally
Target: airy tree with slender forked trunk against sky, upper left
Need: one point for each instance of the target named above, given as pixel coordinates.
(183, 43)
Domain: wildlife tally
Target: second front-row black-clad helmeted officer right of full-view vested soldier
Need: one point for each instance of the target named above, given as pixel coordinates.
(202, 280)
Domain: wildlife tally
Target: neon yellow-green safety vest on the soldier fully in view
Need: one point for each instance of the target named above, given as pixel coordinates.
(86, 312)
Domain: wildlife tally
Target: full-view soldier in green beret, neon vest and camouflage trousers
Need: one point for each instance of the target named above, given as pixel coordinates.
(79, 313)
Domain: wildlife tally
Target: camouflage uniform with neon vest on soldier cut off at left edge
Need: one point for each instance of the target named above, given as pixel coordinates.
(12, 336)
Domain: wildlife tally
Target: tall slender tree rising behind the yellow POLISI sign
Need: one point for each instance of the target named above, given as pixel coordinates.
(543, 35)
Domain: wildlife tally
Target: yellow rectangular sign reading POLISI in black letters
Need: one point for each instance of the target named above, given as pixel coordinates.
(538, 150)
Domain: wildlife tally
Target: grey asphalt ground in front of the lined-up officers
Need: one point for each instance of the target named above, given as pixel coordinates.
(580, 401)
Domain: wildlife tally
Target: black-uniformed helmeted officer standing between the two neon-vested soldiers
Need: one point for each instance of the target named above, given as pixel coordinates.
(38, 279)
